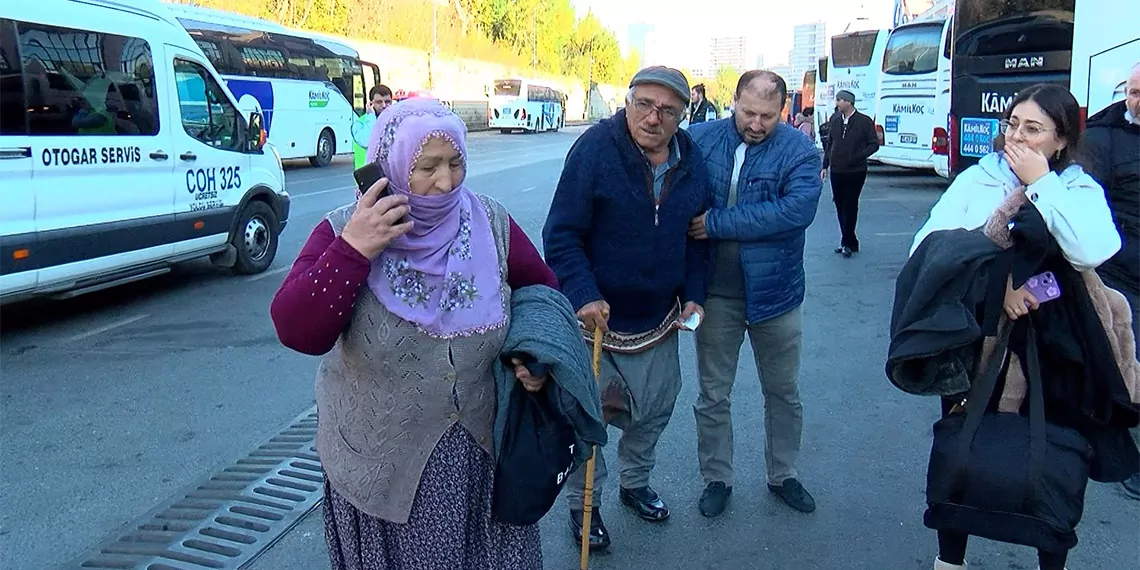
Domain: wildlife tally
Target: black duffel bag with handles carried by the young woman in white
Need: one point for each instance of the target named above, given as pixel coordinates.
(1006, 477)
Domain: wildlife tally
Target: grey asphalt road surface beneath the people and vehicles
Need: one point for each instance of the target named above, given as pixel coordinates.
(113, 402)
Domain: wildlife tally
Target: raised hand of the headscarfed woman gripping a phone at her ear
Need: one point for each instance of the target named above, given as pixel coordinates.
(377, 221)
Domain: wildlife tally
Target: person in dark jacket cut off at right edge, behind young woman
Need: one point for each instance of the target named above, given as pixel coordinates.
(1112, 156)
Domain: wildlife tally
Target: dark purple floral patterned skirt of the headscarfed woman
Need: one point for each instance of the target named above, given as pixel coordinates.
(451, 526)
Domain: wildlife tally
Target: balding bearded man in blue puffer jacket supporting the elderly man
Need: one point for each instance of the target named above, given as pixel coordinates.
(766, 180)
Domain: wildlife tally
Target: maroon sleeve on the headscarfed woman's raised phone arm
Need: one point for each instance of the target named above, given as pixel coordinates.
(315, 303)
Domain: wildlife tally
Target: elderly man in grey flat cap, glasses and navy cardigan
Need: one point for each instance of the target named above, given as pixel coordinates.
(617, 239)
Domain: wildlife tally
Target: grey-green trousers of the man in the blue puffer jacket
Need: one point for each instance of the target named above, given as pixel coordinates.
(777, 345)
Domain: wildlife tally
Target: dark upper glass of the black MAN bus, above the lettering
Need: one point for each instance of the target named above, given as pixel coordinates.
(1007, 28)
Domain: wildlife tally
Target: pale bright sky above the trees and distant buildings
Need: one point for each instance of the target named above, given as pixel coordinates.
(767, 23)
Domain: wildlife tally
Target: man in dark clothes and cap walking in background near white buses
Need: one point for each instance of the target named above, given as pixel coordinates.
(852, 142)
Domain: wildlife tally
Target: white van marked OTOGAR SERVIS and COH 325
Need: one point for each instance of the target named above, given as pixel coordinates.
(123, 153)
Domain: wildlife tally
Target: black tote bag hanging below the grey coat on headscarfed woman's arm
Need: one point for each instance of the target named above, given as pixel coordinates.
(536, 458)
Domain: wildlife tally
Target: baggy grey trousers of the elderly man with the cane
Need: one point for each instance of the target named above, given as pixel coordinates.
(639, 394)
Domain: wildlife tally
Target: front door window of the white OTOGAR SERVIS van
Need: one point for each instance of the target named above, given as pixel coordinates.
(207, 113)
